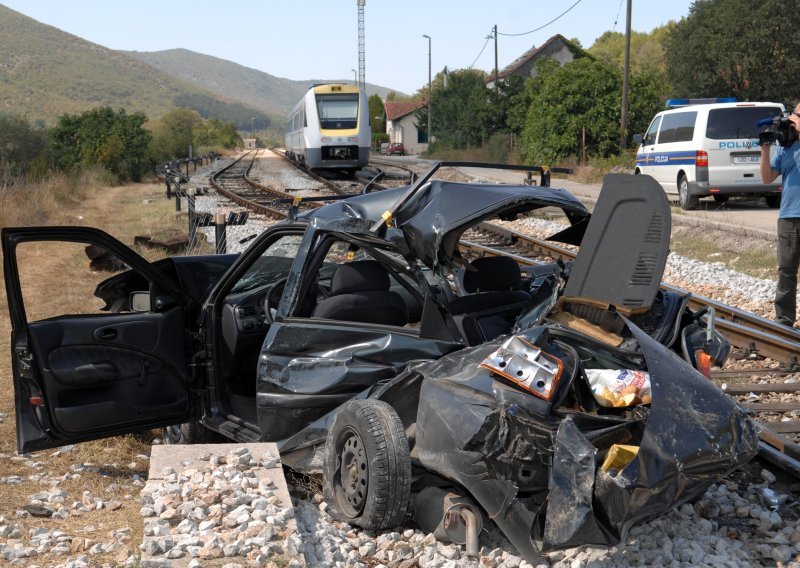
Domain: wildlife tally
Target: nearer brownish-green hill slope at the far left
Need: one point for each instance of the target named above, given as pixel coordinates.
(45, 72)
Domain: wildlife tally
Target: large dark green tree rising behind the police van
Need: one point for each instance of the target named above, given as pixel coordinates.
(745, 49)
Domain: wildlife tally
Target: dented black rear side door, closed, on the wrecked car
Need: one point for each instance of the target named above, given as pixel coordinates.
(312, 363)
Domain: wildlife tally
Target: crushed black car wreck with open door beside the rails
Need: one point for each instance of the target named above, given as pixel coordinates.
(562, 402)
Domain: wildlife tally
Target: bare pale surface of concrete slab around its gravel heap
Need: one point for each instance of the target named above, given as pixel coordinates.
(180, 457)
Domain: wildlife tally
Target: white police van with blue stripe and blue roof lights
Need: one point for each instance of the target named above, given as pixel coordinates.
(707, 147)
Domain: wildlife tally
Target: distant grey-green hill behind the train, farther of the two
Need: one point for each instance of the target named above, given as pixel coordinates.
(260, 90)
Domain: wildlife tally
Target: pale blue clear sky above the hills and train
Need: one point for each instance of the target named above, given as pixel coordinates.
(318, 39)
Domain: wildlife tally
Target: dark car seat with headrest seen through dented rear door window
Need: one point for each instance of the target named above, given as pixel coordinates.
(360, 292)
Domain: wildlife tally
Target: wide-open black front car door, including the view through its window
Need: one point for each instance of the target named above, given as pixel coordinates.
(85, 366)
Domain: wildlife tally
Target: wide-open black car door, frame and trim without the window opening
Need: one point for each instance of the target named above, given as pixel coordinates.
(90, 375)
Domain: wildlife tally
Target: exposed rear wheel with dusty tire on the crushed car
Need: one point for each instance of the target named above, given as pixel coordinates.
(367, 467)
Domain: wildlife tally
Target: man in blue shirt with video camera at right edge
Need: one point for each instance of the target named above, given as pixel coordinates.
(786, 162)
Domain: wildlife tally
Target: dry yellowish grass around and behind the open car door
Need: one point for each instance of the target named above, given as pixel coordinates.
(56, 280)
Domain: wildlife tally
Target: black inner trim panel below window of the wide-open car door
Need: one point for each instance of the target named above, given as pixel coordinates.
(93, 384)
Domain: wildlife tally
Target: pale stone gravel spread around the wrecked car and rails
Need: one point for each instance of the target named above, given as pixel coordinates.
(745, 520)
